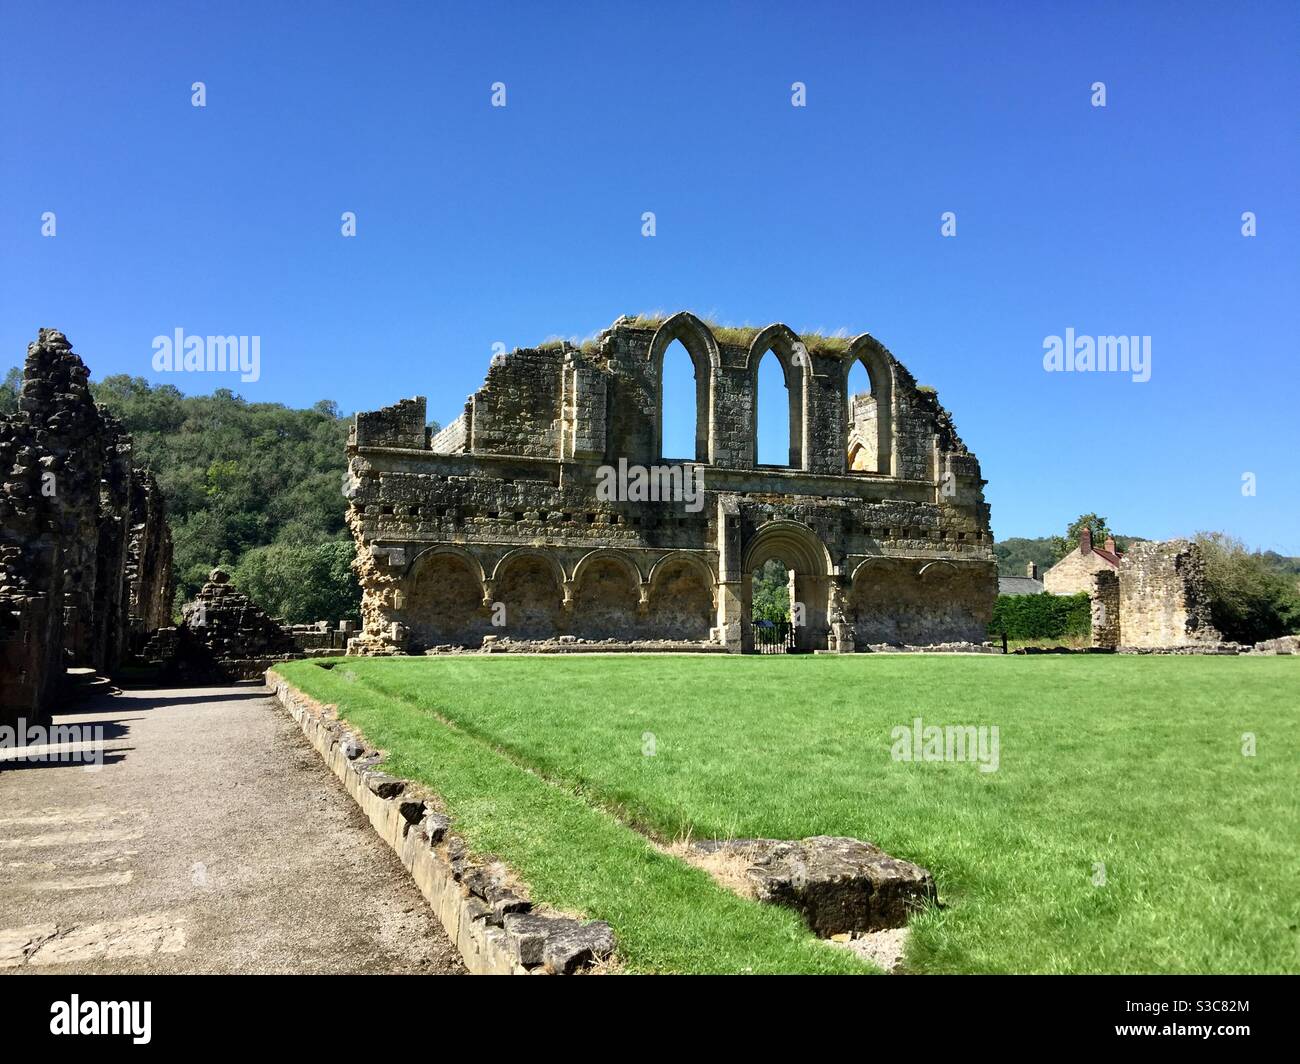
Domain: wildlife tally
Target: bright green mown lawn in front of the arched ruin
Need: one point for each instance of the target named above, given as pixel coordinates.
(1124, 831)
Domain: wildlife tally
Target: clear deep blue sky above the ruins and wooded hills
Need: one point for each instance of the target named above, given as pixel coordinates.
(480, 226)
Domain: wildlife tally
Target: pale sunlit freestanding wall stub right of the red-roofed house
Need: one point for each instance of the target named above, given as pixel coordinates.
(1163, 596)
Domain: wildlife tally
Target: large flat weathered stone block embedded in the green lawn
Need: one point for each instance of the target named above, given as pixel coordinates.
(839, 885)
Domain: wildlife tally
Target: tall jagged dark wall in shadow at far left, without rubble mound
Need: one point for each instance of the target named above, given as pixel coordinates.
(76, 521)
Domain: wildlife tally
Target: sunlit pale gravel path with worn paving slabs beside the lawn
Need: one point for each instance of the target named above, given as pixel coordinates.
(211, 840)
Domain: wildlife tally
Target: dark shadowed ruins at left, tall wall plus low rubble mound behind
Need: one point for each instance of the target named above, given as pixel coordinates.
(86, 561)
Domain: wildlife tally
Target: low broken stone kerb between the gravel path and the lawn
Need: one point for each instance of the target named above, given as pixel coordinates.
(493, 925)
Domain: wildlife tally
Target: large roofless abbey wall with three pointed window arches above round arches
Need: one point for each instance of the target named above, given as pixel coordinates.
(500, 520)
